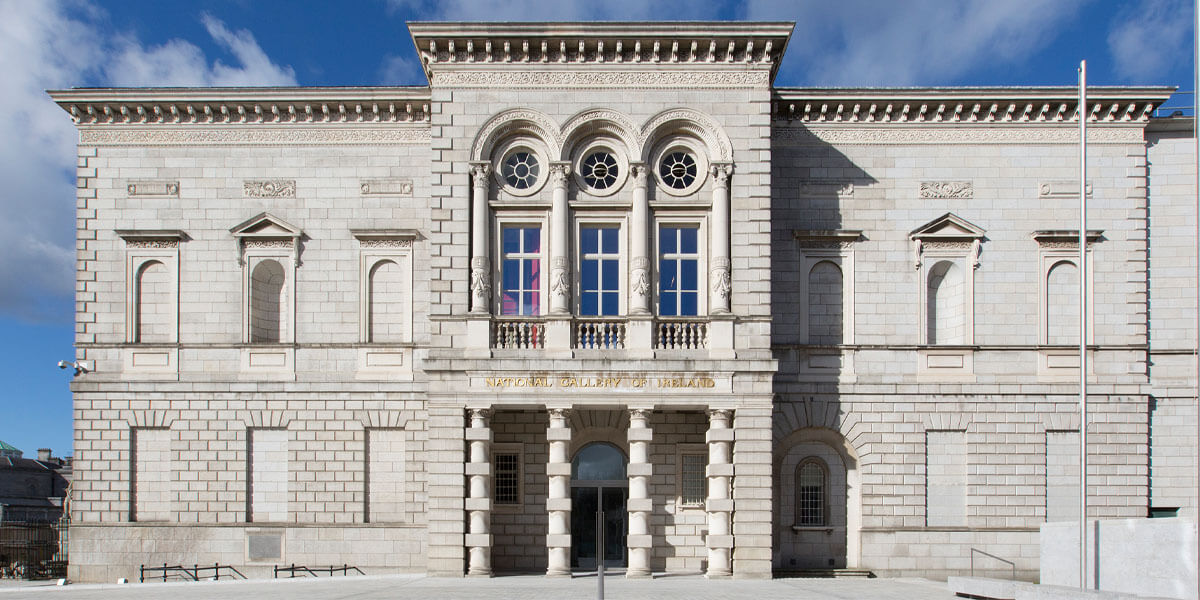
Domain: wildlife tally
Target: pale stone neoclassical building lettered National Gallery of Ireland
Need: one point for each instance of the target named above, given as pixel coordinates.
(611, 273)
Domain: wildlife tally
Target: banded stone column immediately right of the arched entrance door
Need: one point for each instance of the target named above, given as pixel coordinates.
(640, 503)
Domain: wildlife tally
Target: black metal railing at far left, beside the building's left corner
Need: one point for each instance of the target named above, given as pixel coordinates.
(34, 551)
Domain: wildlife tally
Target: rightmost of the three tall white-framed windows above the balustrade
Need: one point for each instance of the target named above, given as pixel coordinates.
(681, 275)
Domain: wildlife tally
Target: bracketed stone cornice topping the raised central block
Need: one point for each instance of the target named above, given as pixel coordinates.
(449, 47)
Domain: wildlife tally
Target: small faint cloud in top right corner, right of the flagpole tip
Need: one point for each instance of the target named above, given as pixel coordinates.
(1150, 38)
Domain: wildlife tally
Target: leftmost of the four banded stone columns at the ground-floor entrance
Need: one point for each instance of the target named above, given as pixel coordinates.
(479, 502)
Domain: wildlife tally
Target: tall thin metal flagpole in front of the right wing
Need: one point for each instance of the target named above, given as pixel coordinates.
(1083, 325)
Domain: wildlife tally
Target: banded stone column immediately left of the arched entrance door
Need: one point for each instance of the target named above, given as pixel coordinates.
(559, 501)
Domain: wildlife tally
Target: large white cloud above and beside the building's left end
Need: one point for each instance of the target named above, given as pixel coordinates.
(55, 45)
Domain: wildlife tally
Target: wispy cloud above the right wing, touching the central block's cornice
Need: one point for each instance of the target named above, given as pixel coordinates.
(916, 43)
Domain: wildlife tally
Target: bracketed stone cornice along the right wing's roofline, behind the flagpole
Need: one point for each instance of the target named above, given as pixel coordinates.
(967, 105)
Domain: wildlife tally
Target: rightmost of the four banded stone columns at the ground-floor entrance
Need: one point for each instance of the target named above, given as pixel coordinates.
(719, 505)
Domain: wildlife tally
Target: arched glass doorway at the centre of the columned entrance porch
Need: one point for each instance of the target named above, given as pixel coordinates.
(599, 484)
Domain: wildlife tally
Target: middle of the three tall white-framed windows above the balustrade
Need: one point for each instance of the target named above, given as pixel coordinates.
(601, 259)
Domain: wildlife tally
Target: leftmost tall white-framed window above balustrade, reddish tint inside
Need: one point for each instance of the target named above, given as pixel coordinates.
(523, 285)
